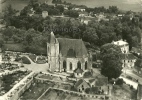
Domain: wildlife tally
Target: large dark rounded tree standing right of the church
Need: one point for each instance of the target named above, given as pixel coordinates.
(111, 57)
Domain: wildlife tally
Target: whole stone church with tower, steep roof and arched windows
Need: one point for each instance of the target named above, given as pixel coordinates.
(66, 55)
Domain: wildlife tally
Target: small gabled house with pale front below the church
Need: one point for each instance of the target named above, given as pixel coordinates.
(81, 85)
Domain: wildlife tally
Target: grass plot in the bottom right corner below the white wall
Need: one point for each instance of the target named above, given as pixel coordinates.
(124, 92)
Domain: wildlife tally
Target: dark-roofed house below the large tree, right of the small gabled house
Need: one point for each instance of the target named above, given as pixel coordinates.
(99, 84)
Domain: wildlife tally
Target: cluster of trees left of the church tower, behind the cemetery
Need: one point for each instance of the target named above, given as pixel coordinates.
(31, 40)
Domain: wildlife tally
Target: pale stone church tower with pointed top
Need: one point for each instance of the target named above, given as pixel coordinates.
(53, 53)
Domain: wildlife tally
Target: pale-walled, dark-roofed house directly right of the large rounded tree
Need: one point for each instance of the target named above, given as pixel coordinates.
(128, 60)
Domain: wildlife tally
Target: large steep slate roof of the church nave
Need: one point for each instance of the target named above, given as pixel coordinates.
(73, 46)
